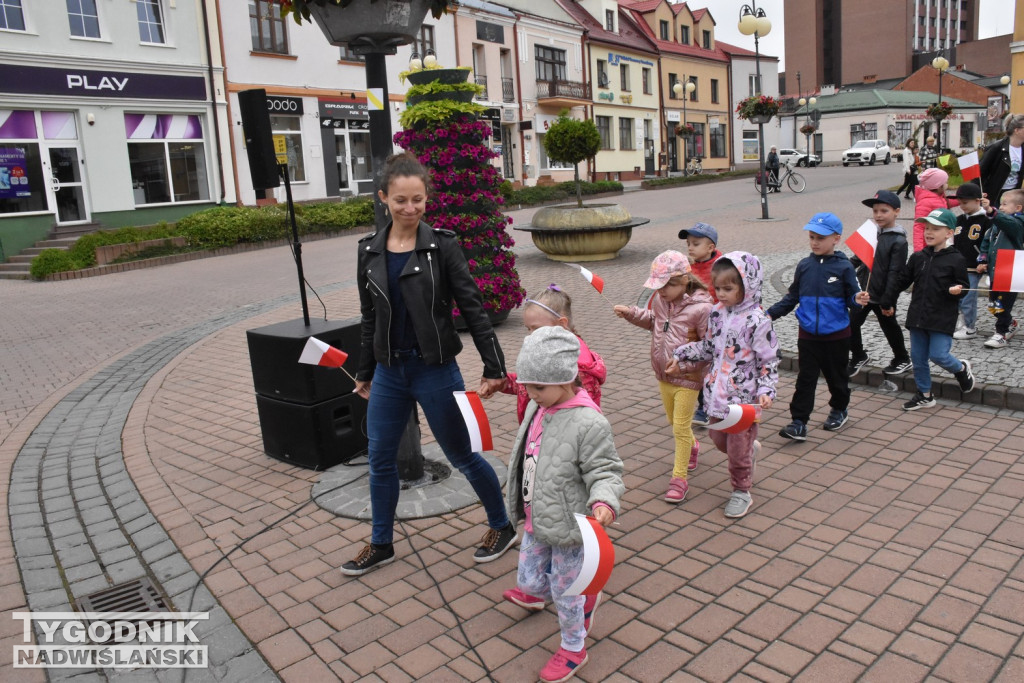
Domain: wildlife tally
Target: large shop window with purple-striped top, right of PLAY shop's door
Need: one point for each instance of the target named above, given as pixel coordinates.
(167, 158)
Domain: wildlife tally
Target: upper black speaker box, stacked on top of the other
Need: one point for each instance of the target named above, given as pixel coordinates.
(275, 352)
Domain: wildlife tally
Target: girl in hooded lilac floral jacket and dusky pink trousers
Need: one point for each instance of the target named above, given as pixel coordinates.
(744, 351)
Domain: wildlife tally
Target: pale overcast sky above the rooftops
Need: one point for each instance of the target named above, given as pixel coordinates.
(997, 19)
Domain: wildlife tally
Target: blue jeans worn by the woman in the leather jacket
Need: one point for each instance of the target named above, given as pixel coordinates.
(395, 392)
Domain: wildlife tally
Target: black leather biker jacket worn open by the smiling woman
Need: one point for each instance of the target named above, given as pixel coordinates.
(436, 276)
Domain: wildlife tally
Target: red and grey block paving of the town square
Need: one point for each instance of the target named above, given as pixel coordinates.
(888, 551)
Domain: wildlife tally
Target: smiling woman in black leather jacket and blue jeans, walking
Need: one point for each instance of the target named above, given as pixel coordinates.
(409, 278)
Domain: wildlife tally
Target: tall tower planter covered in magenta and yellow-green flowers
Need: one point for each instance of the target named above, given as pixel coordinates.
(448, 137)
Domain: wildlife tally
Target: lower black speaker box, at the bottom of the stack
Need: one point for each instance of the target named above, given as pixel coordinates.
(315, 437)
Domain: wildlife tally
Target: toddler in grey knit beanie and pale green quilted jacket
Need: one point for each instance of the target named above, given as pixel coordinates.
(564, 462)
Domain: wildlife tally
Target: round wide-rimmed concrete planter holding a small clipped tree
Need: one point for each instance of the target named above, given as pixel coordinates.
(570, 234)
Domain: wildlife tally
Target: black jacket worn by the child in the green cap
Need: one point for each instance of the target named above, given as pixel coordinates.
(932, 274)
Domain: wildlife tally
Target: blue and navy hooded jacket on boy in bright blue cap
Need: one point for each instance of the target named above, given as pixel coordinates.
(823, 292)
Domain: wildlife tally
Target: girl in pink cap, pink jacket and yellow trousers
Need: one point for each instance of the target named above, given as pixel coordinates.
(678, 315)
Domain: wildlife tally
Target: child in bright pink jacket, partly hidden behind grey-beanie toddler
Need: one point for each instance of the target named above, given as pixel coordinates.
(554, 308)
